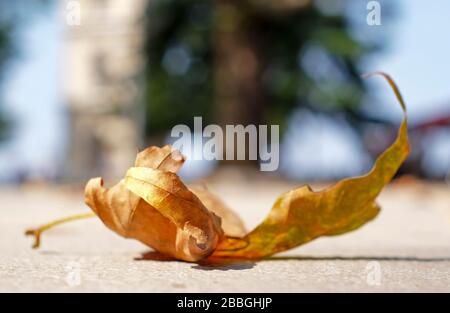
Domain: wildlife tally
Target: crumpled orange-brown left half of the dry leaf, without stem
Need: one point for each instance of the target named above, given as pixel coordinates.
(172, 220)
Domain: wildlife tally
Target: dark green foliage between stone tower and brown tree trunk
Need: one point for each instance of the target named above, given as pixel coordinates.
(180, 72)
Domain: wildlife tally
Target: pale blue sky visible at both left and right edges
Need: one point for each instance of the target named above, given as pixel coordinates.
(418, 58)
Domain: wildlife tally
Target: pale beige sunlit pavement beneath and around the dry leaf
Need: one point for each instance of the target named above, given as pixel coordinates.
(406, 249)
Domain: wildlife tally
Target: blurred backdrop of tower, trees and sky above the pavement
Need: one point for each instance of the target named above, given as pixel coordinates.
(86, 84)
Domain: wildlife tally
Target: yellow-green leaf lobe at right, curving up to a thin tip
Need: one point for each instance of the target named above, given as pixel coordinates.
(302, 215)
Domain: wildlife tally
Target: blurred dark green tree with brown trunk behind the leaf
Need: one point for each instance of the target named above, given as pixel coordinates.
(304, 57)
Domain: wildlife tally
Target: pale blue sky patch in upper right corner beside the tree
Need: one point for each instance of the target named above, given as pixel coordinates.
(418, 56)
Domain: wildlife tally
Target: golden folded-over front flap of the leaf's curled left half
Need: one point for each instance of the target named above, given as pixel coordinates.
(198, 229)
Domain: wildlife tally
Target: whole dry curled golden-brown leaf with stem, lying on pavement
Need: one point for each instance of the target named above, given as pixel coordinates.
(153, 206)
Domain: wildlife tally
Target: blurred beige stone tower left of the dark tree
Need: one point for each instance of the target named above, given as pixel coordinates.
(103, 63)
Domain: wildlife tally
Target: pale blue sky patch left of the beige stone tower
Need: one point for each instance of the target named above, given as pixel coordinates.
(33, 98)
